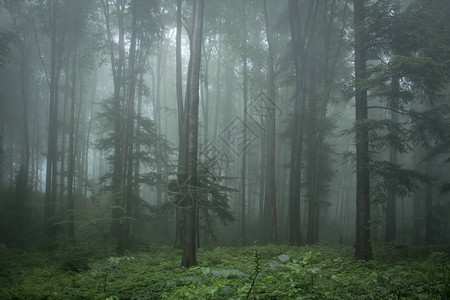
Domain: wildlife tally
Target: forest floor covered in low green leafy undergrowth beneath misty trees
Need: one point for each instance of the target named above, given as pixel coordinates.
(254, 272)
